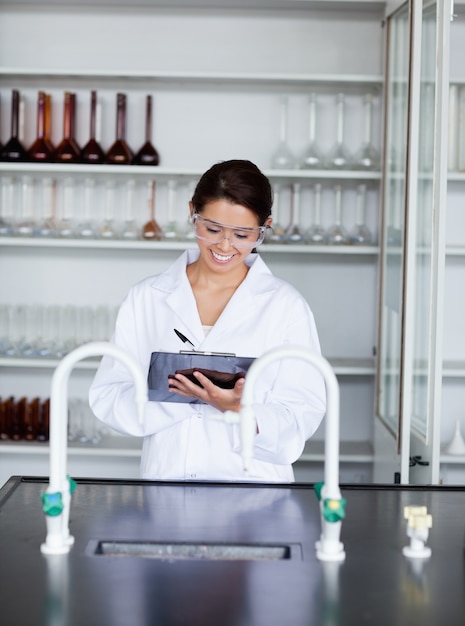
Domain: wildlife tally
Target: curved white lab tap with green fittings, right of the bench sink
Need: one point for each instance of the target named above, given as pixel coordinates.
(329, 548)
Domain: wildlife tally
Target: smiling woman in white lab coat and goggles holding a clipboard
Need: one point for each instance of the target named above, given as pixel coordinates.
(222, 298)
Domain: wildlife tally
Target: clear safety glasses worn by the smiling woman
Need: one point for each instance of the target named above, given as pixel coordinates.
(213, 232)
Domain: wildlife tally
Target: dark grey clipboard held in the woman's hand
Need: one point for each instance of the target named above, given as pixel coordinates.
(164, 364)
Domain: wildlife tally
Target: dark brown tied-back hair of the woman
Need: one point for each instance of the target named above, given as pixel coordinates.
(238, 181)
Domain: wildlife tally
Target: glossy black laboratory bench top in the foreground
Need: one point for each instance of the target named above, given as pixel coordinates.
(228, 554)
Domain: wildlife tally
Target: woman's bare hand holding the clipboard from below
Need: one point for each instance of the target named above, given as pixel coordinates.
(221, 399)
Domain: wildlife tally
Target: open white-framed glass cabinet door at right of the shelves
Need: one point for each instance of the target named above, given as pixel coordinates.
(412, 250)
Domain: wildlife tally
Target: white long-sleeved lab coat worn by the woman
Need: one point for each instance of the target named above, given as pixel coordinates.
(180, 441)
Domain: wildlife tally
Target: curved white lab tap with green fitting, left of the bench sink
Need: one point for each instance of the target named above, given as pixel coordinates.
(58, 494)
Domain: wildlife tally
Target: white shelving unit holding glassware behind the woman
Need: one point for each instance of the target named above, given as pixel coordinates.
(207, 107)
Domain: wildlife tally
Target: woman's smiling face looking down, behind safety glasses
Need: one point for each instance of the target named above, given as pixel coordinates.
(224, 255)
